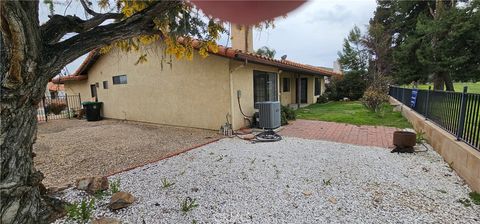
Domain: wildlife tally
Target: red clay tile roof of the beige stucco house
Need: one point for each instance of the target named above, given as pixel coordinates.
(93, 56)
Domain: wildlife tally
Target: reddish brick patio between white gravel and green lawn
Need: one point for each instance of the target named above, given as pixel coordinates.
(338, 132)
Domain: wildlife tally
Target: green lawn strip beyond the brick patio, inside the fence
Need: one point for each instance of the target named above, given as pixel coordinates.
(353, 113)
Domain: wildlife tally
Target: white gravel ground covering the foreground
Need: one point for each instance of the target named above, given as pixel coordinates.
(234, 181)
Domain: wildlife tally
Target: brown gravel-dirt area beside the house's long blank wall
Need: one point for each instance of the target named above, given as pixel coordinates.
(69, 149)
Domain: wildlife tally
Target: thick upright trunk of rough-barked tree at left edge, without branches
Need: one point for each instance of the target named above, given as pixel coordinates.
(22, 87)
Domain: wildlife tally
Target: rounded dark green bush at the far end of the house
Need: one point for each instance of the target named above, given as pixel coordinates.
(351, 85)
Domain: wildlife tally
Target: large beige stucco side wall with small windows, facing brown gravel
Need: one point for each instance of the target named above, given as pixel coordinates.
(186, 93)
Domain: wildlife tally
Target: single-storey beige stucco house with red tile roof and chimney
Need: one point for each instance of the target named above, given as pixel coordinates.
(201, 93)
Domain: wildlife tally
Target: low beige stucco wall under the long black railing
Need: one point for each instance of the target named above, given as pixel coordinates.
(462, 157)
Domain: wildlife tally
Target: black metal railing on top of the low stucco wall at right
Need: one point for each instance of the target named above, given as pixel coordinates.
(455, 112)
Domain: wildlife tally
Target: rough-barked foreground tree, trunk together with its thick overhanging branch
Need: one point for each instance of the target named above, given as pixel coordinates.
(29, 57)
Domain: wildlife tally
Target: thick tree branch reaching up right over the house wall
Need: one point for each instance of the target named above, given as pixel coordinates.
(62, 53)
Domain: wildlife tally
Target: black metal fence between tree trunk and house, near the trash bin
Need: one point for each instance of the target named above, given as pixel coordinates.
(59, 107)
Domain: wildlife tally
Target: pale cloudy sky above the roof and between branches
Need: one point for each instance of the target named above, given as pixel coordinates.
(312, 34)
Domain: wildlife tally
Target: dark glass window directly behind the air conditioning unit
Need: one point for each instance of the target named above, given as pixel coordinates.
(264, 86)
